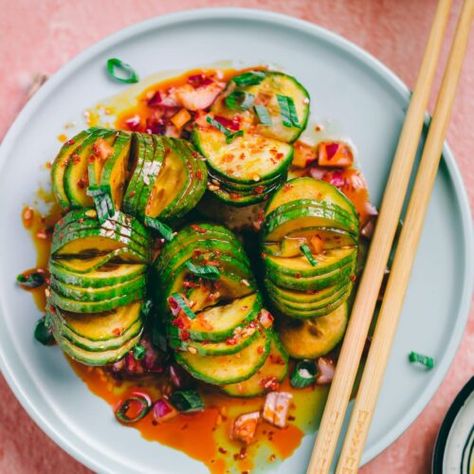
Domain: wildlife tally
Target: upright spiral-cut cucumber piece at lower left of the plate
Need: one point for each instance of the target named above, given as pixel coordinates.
(98, 284)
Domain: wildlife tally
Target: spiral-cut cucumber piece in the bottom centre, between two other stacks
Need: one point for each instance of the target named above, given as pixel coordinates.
(215, 321)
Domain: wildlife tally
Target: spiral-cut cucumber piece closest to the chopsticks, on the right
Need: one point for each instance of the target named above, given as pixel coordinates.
(309, 243)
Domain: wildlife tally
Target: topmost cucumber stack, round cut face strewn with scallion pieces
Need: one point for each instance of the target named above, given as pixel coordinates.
(246, 138)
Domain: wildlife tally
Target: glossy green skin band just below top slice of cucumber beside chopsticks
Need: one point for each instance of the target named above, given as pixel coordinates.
(286, 213)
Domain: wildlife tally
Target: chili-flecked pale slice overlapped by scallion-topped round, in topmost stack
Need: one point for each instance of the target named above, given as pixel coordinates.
(247, 159)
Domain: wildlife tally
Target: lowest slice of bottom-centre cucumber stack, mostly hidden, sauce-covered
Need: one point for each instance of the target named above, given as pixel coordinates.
(274, 369)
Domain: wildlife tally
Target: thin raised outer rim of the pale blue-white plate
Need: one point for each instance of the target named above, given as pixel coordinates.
(368, 60)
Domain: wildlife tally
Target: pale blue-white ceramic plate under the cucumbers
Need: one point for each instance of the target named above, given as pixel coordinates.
(367, 103)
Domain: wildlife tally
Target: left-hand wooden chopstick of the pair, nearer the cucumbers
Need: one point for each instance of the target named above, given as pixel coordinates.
(382, 241)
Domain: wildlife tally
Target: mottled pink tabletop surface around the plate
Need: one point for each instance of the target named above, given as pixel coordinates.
(40, 36)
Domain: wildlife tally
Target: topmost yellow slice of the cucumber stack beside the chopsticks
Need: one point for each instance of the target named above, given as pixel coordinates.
(311, 189)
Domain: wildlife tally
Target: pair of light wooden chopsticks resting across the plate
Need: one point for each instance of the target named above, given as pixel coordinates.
(365, 301)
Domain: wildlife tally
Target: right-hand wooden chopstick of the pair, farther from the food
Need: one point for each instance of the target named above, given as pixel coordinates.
(387, 321)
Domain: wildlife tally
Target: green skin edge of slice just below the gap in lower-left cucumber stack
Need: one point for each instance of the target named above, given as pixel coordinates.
(70, 277)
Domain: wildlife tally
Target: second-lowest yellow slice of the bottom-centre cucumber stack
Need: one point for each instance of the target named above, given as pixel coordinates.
(227, 369)
